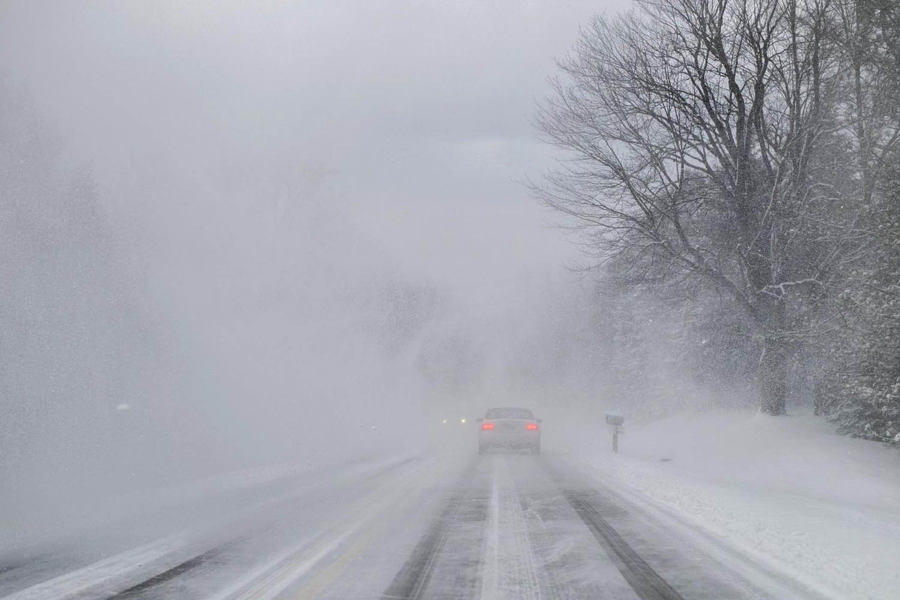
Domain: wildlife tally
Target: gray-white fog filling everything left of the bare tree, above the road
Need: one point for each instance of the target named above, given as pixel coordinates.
(302, 234)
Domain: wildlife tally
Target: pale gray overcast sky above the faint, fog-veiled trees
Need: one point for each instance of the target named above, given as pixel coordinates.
(414, 118)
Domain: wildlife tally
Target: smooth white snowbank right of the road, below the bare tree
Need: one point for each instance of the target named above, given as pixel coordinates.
(821, 508)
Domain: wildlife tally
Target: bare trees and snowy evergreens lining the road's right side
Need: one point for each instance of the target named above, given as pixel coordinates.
(739, 160)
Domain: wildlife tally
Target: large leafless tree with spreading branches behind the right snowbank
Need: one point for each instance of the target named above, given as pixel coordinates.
(700, 133)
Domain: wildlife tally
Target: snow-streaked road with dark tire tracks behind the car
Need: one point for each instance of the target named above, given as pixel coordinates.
(501, 526)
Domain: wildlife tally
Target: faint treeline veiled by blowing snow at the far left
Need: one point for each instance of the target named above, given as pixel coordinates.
(76, 351)
